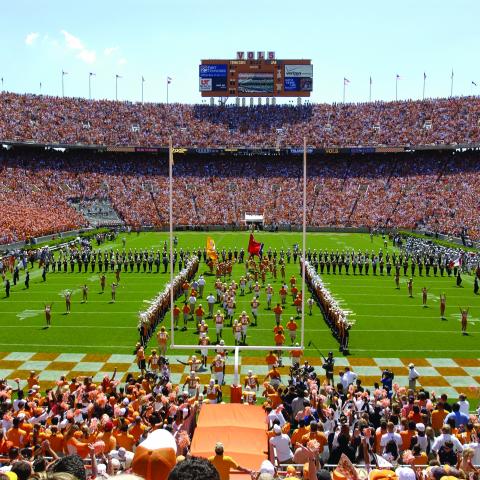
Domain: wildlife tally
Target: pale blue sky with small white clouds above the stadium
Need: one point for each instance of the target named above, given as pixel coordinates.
(156, 39)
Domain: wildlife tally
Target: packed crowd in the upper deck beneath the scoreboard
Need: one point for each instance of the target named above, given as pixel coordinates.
(46, 119)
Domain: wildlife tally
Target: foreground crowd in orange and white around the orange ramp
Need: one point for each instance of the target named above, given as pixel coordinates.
(314, 418)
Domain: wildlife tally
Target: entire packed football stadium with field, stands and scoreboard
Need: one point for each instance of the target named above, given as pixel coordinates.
(239, 288)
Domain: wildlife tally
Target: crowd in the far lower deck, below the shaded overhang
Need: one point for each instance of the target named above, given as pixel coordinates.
(434, 190)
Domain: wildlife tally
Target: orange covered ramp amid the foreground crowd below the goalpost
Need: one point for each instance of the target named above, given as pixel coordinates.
(241, 428)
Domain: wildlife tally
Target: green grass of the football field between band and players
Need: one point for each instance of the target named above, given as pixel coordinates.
(387, 322)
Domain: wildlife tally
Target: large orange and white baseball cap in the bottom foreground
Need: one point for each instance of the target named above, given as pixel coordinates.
(156, 456)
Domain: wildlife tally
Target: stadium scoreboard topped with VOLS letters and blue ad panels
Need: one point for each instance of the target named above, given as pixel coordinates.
(255, 75)
